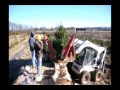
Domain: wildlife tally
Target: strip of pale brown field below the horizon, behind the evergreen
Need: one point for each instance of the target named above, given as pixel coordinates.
(91, 34)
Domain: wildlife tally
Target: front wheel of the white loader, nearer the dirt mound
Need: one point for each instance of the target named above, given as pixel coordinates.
(84, 77)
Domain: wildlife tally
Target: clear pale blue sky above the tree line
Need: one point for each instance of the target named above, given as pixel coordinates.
(52, 15)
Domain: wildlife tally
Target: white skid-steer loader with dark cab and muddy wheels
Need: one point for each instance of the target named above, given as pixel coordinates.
(89, 61)
